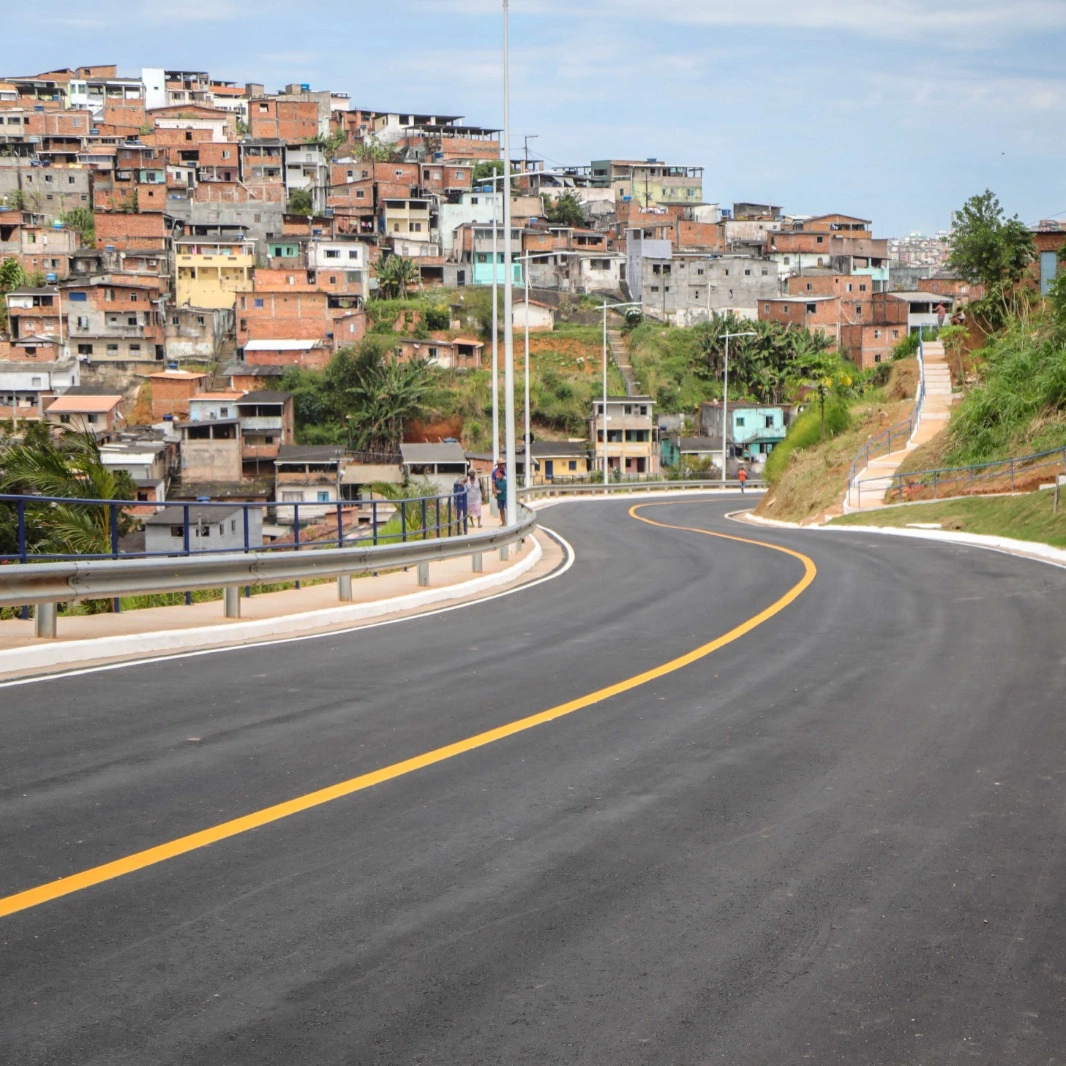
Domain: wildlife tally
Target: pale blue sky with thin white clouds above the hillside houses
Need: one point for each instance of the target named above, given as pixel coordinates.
(896, 111)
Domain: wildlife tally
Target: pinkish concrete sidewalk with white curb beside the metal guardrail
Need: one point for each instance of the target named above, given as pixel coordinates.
(84, 640)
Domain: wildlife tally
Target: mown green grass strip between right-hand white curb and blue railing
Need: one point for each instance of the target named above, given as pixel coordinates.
(1025, 518)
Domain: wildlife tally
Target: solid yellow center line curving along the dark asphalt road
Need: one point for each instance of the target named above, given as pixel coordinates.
(183, 846)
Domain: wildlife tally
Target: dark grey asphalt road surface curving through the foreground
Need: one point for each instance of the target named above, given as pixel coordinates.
(841, 838)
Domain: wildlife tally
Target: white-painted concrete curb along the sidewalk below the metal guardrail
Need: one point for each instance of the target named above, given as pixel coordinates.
(70, 654)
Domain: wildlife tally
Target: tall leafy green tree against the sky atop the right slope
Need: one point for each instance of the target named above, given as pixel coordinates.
(990, 249)
